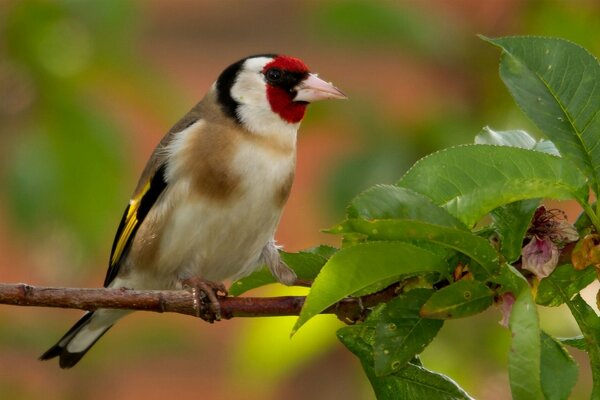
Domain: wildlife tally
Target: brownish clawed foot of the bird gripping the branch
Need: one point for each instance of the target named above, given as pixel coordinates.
(206, 297)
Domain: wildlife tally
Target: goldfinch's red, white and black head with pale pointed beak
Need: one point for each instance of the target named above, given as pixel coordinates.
(267, 92)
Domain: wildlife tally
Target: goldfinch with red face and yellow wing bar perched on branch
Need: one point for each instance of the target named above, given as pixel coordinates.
(210, 197)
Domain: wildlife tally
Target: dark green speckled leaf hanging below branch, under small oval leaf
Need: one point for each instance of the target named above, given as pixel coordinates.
(400, 333)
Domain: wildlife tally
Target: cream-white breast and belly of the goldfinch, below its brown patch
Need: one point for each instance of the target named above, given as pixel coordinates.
(223, 240)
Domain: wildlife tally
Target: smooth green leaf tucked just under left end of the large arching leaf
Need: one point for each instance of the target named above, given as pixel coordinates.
(393, 202)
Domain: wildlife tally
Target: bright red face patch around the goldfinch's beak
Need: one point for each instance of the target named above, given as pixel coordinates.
(281, 96)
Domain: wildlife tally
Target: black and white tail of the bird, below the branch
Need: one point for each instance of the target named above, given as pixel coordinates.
(82, 336)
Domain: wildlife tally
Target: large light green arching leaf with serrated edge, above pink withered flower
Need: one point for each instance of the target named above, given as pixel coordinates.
(470, 181)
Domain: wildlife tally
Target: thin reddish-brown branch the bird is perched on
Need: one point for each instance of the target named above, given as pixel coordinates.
(180, 301)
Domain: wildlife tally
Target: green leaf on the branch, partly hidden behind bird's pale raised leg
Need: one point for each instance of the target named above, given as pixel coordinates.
(306, 265)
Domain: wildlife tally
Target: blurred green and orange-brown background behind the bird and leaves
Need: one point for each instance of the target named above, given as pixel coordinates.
(87, 89)
